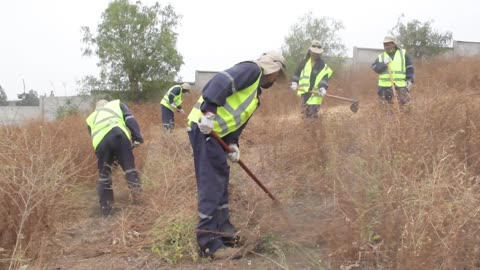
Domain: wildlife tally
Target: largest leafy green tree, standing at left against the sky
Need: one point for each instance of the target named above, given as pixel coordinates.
(135, 45)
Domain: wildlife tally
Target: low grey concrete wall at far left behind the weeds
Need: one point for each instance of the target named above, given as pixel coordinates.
(47, 110)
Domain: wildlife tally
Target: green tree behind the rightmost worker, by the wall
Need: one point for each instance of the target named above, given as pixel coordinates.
(420, 39)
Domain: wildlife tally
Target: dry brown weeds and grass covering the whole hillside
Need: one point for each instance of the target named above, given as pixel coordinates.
(372, 190)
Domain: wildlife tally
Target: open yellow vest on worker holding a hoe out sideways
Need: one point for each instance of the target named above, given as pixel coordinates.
(304, 82)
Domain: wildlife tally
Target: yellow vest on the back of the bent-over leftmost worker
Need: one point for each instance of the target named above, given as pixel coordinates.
(102, 120)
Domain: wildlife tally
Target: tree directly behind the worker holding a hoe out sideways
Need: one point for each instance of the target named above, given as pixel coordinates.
(308, 28)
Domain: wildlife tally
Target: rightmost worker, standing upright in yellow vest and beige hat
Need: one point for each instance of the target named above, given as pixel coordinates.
(401, 72)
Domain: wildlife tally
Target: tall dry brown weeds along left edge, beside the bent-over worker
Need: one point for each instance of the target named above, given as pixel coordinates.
(39, 164)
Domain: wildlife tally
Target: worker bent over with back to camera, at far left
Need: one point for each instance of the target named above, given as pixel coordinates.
(114, 132)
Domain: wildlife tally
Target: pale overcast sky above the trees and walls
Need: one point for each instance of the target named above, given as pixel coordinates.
(41, 39)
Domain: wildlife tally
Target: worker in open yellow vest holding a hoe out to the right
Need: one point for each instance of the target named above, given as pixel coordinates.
(310, 80)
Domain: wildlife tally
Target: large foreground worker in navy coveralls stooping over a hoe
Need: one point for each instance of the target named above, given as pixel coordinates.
(227, 102)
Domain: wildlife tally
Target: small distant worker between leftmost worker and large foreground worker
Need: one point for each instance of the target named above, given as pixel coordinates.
(172, 101)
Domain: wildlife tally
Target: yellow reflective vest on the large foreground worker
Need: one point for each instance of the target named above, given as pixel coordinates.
(238, 108)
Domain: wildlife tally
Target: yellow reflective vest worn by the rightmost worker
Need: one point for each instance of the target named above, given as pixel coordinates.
(397, 66)
